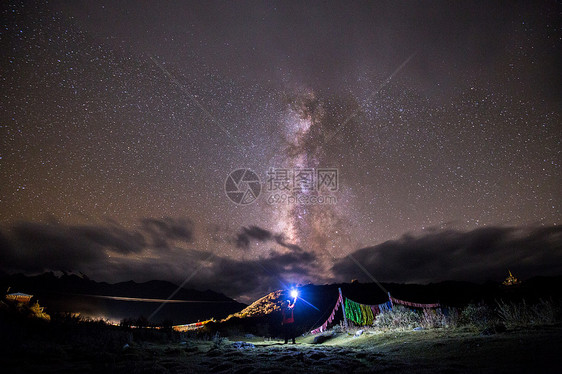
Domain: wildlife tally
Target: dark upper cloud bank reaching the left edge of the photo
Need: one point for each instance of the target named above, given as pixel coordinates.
(31, 246)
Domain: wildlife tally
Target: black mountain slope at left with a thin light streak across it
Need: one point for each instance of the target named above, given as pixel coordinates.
(76, 293)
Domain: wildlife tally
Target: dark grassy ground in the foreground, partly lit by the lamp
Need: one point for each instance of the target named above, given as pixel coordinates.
(537, 350)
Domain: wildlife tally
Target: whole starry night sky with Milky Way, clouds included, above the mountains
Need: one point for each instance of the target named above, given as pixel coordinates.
(121, 121)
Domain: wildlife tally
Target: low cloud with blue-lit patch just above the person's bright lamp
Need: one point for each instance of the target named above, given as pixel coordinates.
(245, 280)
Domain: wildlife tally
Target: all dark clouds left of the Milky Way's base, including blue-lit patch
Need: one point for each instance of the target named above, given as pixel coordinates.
(36, 247)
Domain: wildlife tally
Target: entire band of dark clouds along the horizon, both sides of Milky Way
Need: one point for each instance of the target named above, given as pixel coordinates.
(476, 255)
